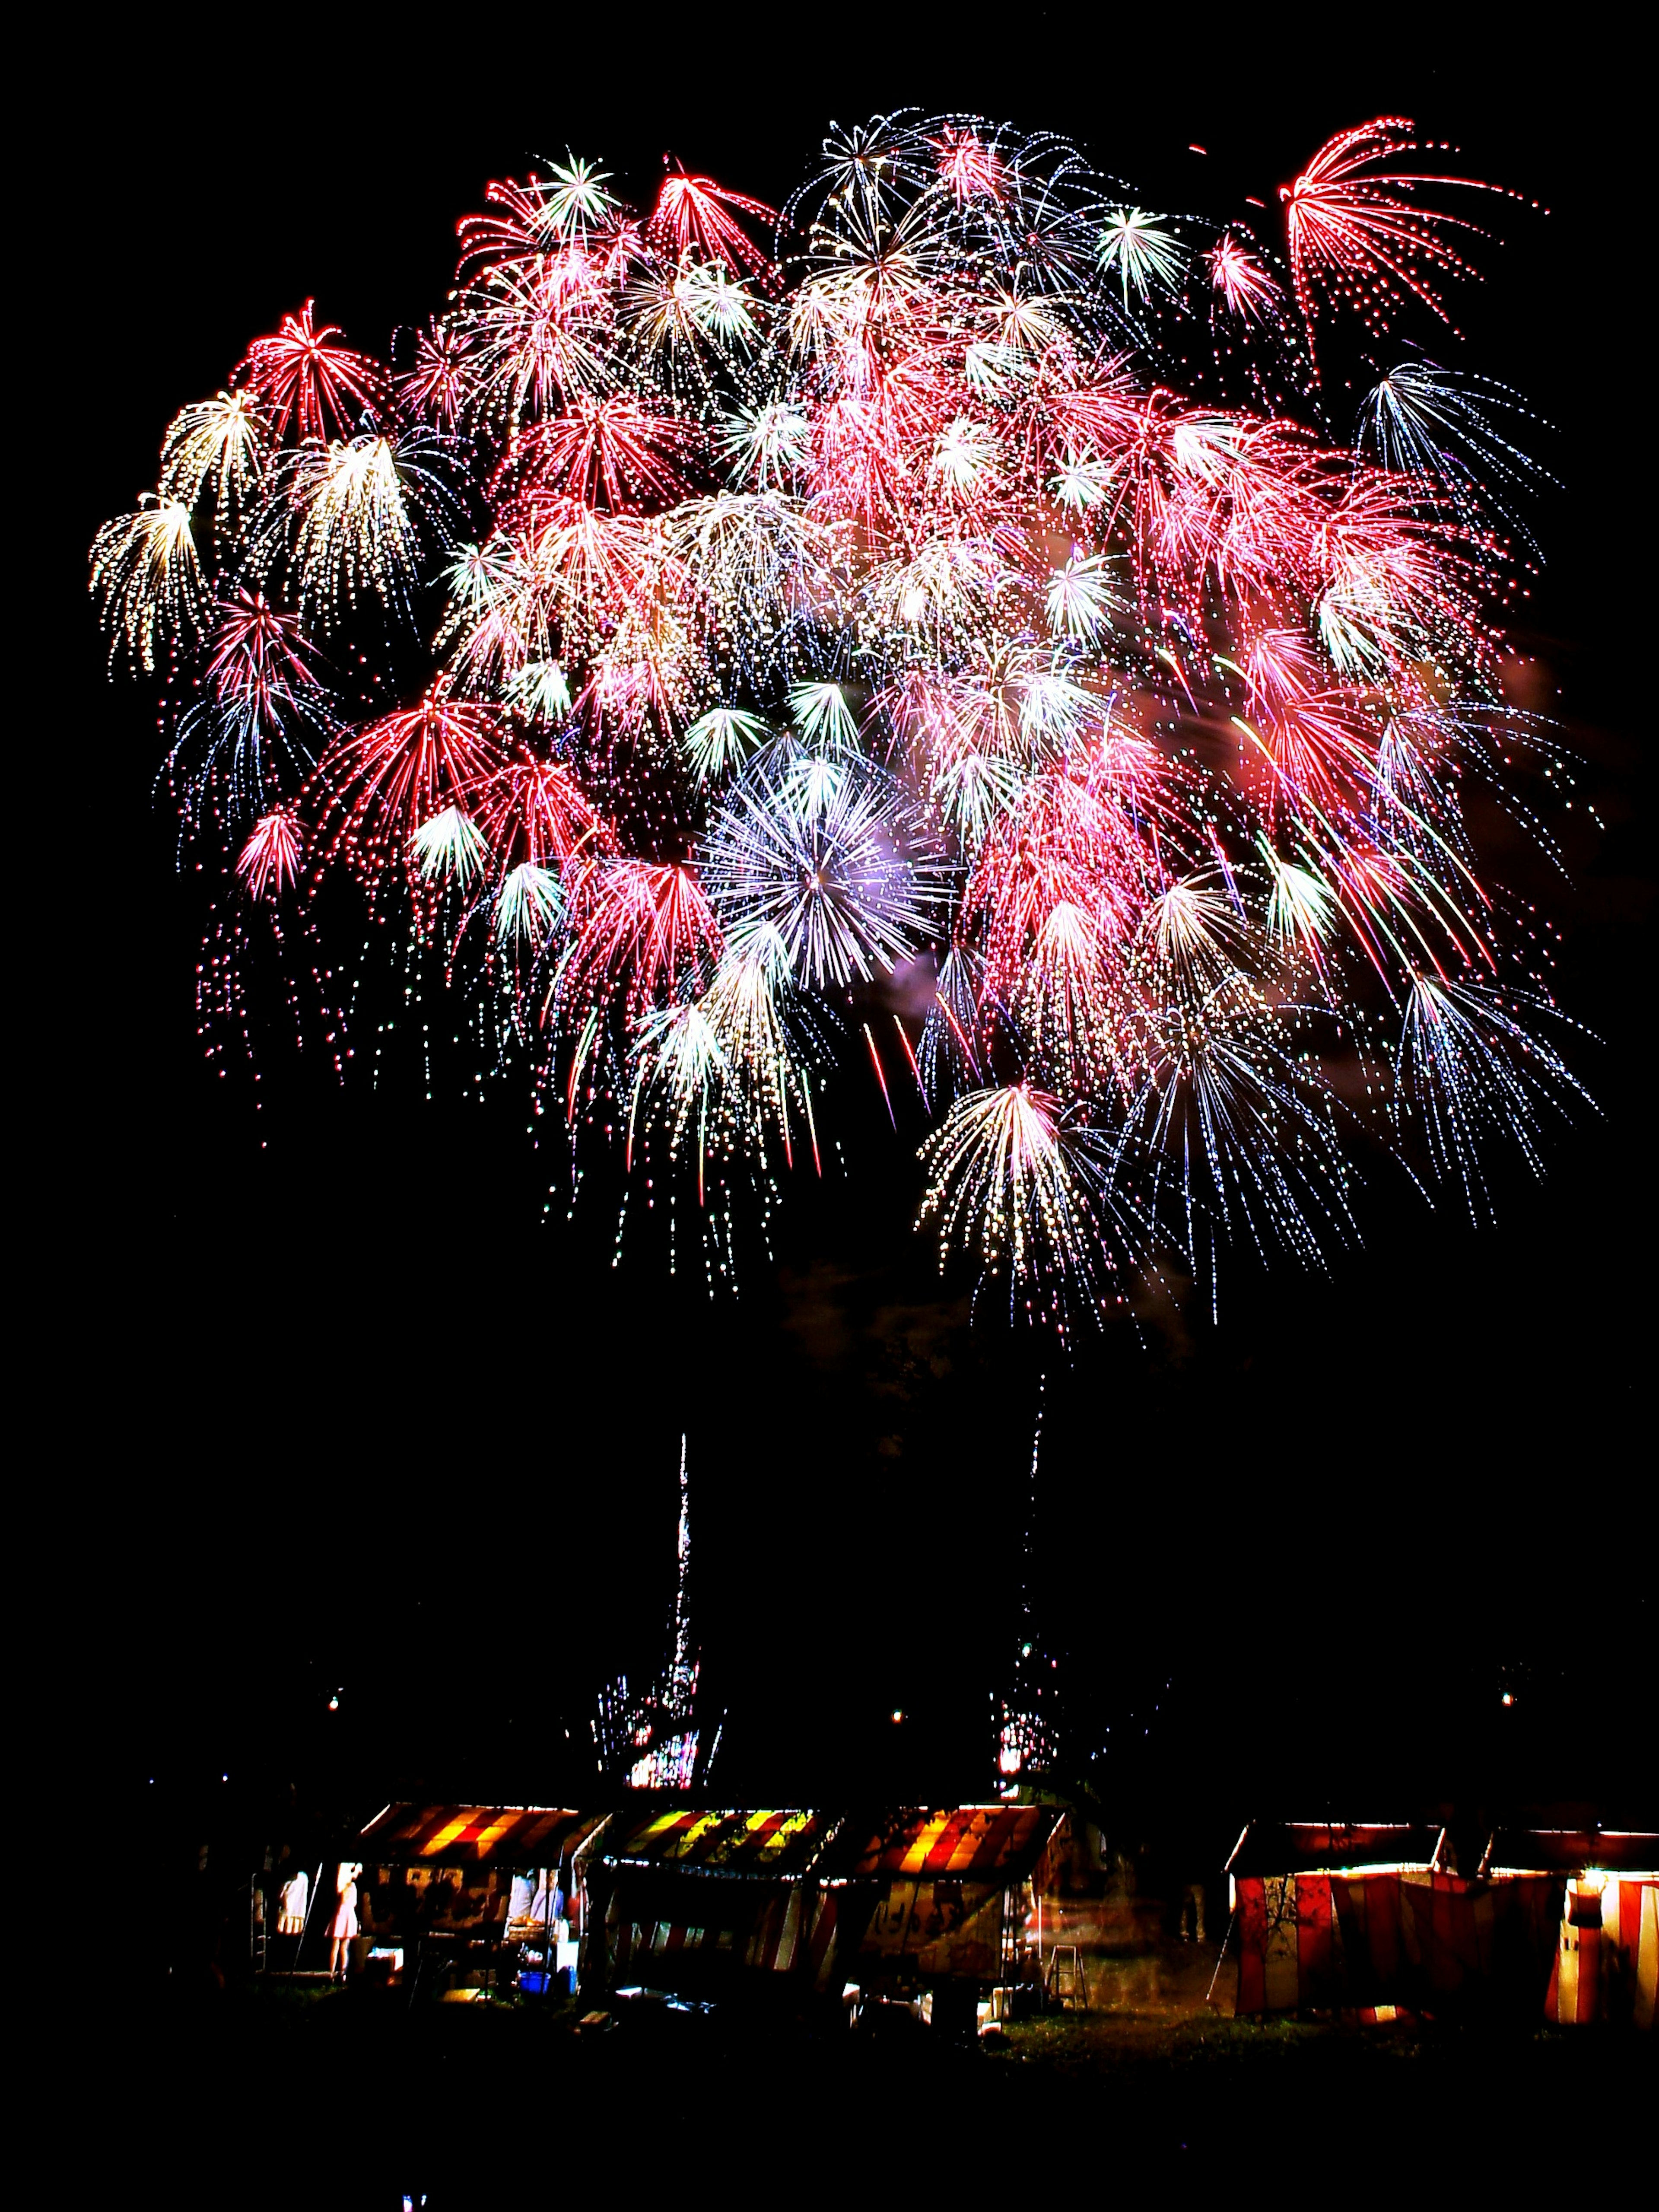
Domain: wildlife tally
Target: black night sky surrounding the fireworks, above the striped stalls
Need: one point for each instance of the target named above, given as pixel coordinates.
(351, 1415)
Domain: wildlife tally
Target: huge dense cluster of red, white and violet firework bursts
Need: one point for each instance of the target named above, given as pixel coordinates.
(713, 614)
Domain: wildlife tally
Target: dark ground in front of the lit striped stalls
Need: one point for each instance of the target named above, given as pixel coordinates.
(286, 2096)
